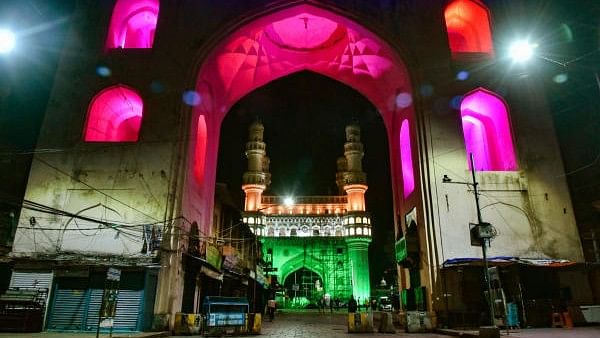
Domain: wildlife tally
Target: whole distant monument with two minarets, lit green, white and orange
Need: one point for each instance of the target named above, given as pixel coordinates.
(318, 244)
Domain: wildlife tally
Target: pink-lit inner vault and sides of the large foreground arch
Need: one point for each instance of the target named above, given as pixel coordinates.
(298, 38)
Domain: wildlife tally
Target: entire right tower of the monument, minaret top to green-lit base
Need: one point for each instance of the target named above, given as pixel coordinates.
(358, 238)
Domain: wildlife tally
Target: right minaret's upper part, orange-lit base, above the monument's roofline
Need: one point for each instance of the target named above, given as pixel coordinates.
(350, 176)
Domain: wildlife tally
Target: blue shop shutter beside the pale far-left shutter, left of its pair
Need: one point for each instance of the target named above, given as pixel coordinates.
(68, 309)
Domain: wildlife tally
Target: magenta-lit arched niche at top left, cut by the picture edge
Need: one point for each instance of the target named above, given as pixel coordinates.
(133, 24)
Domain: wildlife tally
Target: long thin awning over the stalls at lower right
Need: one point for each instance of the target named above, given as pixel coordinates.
(505, 260)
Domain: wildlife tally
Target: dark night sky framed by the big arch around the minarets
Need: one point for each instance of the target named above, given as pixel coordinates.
(304, 115)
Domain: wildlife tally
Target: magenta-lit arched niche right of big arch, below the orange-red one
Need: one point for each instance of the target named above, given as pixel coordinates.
(487, 131)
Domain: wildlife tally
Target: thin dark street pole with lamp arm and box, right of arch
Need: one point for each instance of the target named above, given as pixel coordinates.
(484, 232)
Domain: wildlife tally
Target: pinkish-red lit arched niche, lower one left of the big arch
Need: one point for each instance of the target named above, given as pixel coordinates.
(114, 115)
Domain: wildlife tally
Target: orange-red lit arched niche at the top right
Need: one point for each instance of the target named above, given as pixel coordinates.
(468, 26)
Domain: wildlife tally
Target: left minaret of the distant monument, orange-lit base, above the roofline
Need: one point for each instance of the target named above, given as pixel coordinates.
(257, 178)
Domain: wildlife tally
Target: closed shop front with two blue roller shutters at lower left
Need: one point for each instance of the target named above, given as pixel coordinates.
(76, 302)
